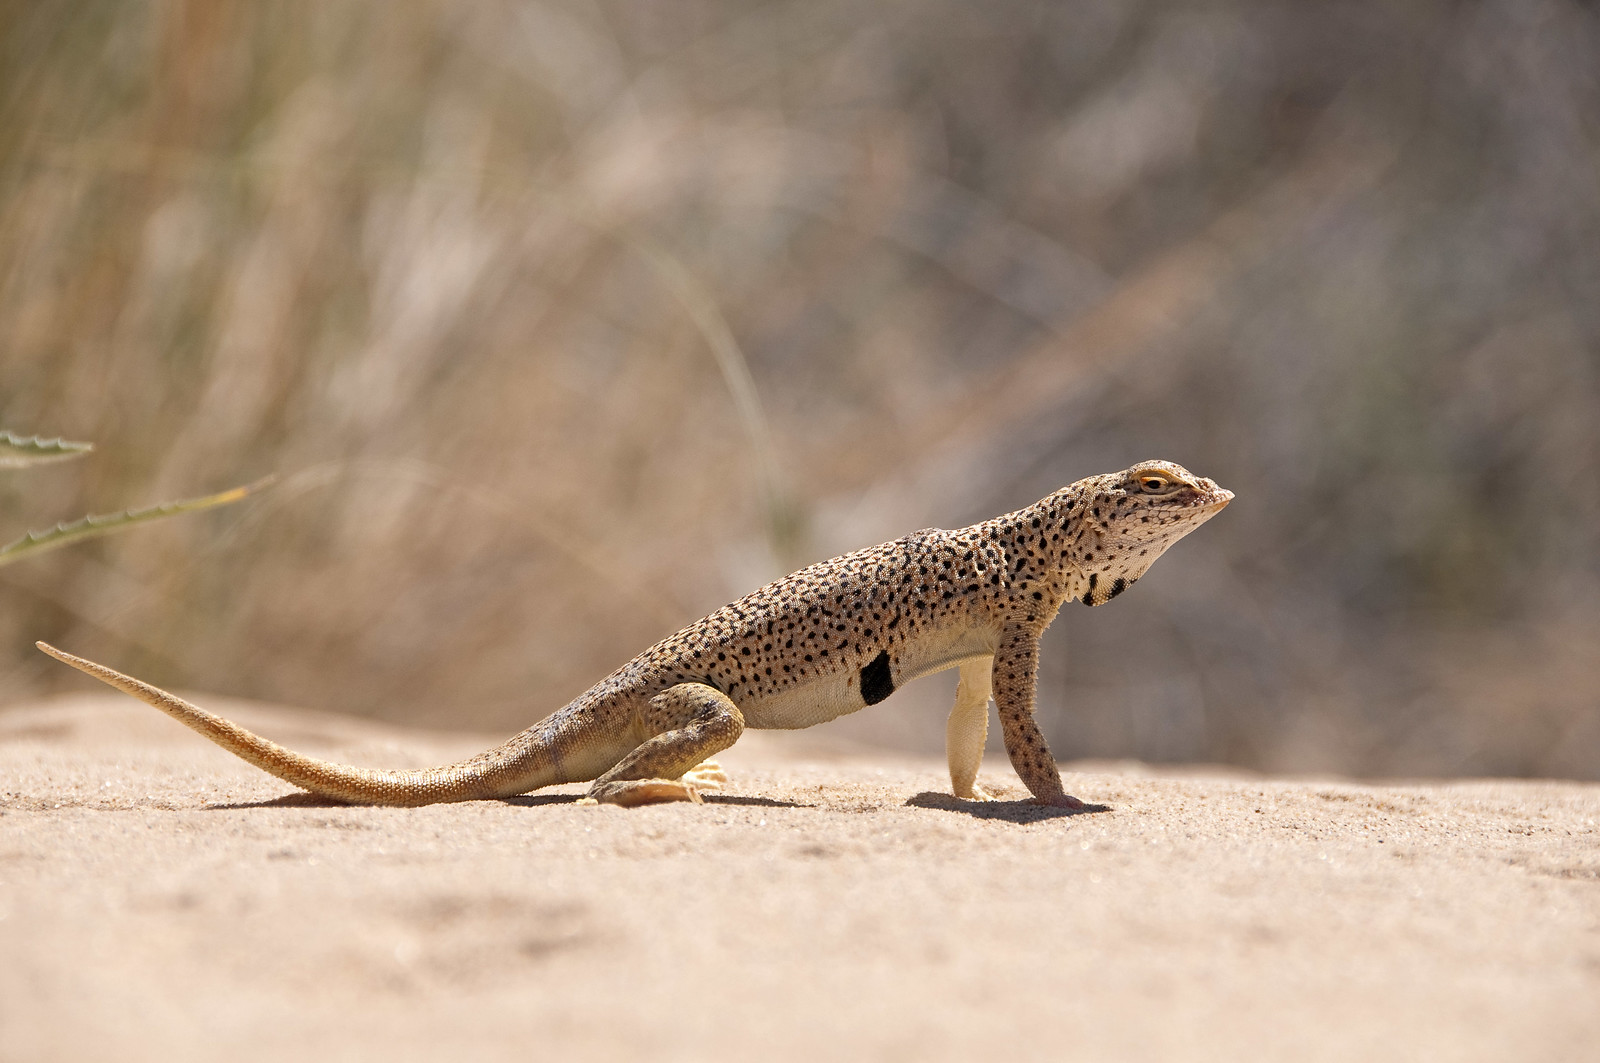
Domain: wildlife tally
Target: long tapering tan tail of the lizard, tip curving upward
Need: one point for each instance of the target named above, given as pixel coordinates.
(497, 774)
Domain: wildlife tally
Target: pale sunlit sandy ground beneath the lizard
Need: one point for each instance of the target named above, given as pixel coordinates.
(162, 901)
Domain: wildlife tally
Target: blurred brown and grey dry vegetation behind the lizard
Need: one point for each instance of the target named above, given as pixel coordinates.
(567, 323)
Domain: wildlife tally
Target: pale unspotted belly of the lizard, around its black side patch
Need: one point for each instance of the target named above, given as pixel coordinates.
(831, 697)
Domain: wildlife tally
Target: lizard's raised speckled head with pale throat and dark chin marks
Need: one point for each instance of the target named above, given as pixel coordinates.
(1132, 518)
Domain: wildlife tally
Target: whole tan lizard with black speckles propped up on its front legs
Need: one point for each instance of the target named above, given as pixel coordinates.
(818, 644)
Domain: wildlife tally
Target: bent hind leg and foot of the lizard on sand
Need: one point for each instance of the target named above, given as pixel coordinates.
(690, 723)
